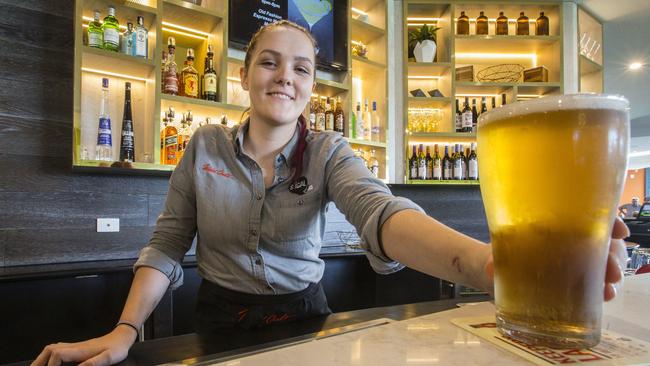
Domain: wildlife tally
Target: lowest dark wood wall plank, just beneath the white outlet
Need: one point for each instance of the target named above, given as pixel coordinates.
(42, 246)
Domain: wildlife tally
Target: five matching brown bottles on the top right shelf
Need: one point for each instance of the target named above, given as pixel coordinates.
(501, 26)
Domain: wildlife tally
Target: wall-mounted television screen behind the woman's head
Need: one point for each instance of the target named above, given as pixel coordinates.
(326, 19)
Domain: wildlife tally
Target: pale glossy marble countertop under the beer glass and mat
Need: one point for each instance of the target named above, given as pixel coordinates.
(433, 339)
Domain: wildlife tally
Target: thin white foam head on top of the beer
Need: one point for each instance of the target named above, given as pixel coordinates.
(556, 103)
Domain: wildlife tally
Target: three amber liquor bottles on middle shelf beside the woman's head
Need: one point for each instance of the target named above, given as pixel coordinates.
(186, 82)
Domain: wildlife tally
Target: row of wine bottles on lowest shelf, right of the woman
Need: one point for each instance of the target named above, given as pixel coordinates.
(458, 163)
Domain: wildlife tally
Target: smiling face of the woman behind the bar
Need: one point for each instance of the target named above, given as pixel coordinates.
(280, 78)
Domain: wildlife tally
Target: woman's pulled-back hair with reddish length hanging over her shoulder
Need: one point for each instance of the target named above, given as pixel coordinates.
(297, 158)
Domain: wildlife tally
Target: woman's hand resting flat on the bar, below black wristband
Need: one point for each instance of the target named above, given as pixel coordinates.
(106, 350)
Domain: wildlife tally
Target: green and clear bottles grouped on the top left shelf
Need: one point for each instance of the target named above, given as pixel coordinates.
(134, 41)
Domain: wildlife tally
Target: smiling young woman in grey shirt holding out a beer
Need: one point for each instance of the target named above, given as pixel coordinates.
(255, 198)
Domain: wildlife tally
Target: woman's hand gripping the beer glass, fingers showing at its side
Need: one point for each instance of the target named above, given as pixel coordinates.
(616, 261)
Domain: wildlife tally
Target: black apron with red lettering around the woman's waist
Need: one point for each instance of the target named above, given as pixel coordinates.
(221, 310)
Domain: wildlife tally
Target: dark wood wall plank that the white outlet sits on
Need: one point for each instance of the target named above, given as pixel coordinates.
(26, 210)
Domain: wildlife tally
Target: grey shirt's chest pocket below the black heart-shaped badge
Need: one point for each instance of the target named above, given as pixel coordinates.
(297, 217)
